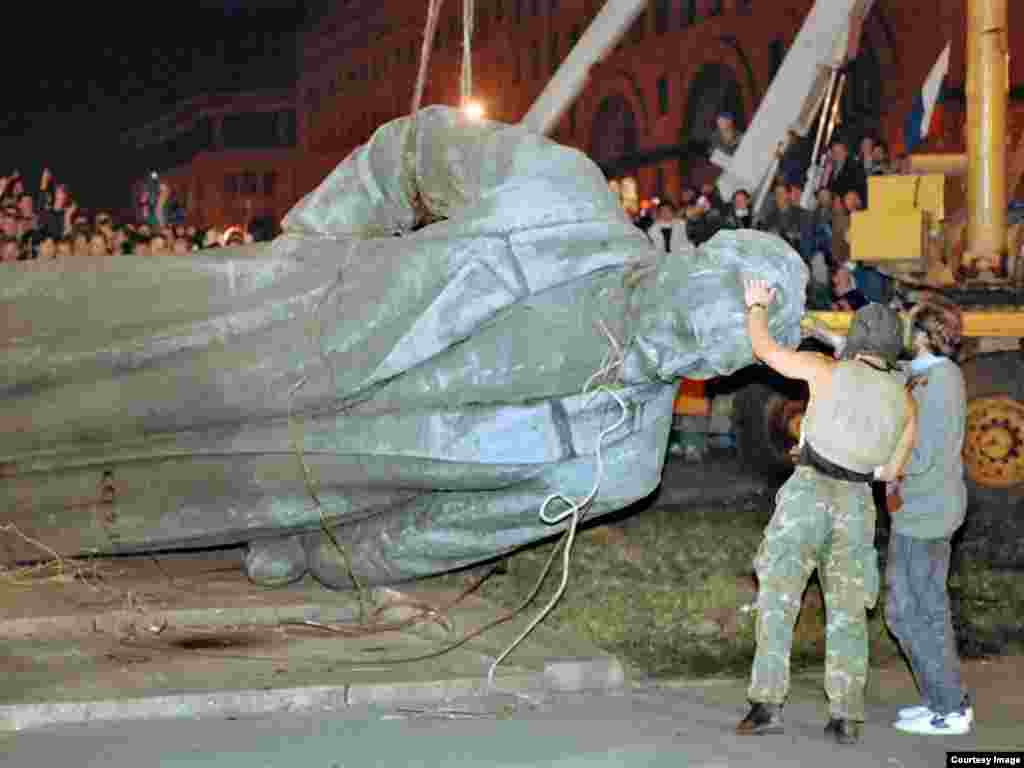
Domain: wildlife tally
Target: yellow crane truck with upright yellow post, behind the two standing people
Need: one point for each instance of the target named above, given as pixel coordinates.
(943, 227)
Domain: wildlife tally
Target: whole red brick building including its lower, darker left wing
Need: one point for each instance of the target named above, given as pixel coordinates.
(646, 113)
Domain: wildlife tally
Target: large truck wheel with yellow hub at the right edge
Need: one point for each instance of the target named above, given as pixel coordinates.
(994, 458)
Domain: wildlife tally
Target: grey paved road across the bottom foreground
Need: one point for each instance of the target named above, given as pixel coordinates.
(642, 728)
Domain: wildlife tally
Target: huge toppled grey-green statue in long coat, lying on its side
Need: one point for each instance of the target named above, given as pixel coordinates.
(426, 389)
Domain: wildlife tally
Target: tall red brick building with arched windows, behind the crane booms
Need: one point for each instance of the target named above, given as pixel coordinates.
(650, 104)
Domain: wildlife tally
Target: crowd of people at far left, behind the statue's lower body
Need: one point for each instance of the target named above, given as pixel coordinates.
(45, 222)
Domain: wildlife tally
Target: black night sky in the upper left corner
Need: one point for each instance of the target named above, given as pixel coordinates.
(67, 101)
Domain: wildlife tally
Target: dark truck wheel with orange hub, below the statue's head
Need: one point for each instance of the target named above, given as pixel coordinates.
(767, 414)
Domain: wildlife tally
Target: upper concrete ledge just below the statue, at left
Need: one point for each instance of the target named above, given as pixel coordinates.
(117, 622)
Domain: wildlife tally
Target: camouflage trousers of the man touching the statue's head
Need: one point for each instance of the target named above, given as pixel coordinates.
(827, 525)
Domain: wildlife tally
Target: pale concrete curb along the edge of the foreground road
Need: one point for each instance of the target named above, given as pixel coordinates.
(563, 675)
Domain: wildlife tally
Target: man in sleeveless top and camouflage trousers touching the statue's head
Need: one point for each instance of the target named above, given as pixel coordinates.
(860, 428)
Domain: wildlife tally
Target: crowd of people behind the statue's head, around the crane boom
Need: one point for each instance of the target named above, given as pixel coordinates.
(816, 226)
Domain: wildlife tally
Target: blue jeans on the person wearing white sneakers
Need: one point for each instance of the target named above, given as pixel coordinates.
(918, 614)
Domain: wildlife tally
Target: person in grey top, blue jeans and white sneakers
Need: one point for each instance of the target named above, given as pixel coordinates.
(929, 507)
